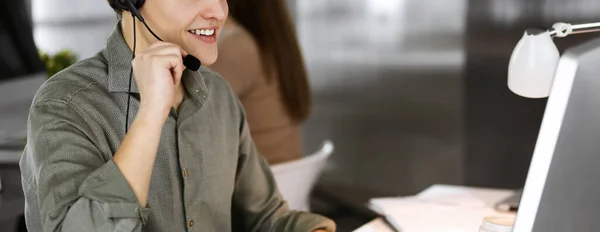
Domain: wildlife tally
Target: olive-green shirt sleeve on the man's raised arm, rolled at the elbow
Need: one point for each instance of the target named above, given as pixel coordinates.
(68, 184)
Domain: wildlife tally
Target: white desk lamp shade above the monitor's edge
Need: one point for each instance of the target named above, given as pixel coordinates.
(533, 64)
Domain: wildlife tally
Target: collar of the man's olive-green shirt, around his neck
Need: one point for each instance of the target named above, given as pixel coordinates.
(119, 56)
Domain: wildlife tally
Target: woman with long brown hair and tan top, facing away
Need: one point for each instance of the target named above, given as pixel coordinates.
(260, 58)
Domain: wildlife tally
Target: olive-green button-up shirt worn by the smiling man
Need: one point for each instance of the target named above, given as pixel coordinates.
(208, 175)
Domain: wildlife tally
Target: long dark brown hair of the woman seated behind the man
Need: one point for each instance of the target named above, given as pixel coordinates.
(268, 21)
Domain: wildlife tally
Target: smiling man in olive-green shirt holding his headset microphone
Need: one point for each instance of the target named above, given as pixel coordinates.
(183, 161)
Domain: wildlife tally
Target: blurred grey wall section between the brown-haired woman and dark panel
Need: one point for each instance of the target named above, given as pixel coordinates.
(387, 90)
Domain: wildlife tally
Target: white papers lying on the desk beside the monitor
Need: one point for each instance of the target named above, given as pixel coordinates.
(440, 208)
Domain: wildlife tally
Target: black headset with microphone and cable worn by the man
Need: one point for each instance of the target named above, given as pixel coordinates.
(132, 6)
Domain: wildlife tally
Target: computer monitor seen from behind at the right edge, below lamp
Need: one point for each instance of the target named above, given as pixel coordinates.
(562, 190)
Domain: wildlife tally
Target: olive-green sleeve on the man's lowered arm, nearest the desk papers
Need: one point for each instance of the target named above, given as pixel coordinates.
(258, 205)
